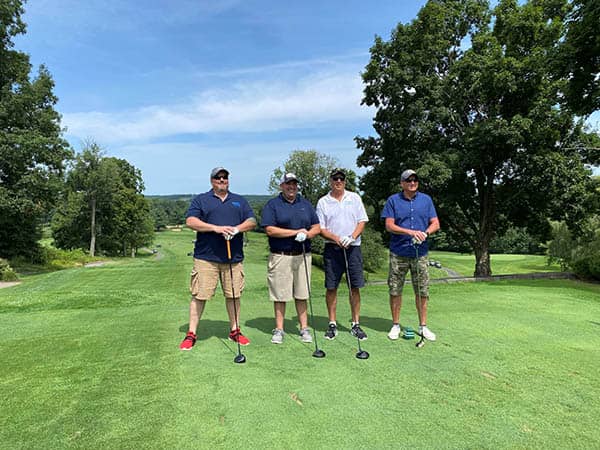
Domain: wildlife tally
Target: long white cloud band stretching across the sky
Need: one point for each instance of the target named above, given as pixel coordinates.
(257, 106)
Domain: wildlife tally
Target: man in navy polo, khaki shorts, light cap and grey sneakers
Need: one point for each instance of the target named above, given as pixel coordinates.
(290, 222)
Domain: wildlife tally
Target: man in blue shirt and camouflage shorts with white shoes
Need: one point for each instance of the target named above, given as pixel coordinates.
(410, 217)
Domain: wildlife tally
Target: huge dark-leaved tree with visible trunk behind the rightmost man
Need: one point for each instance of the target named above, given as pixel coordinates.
(467, 96)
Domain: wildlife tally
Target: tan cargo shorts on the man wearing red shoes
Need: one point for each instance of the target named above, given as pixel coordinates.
(206, 275)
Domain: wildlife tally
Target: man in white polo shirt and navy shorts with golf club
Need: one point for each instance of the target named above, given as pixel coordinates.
(343, 218)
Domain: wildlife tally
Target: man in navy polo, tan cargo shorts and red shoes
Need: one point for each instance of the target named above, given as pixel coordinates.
(218, 216)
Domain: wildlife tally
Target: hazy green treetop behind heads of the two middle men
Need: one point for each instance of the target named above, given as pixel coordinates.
(312, 169)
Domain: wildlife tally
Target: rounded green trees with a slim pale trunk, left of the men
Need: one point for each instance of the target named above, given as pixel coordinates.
(104, 209)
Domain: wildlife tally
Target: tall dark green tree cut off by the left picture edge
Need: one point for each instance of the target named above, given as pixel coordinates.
(32, 151)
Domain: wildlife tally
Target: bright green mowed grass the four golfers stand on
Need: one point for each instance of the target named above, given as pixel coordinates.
(90, 359)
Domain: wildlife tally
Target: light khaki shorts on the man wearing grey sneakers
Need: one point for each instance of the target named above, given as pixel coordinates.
(286, 276)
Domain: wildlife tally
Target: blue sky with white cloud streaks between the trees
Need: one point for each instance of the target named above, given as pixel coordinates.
(178, 87)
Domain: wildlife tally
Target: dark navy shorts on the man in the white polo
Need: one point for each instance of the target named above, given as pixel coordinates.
(335, 266)
